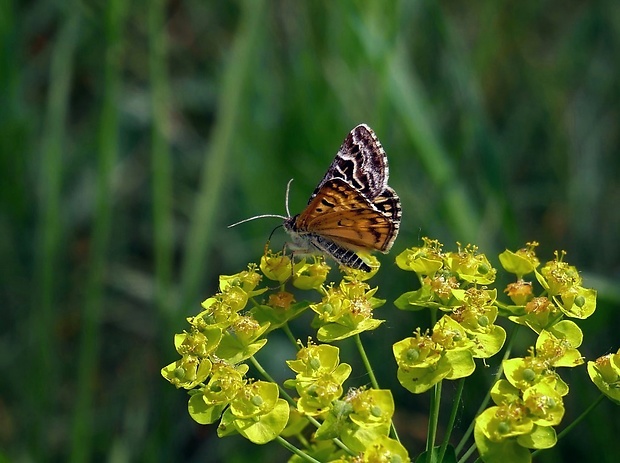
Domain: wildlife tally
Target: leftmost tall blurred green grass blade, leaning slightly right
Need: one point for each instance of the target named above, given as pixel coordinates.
(49, 227)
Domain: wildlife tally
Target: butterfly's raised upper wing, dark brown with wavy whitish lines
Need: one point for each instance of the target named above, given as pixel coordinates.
(361, 162)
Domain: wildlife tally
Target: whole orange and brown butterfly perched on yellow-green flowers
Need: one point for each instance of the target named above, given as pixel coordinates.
(351, 209)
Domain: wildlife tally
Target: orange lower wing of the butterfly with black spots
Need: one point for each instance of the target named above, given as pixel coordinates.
(341, 214)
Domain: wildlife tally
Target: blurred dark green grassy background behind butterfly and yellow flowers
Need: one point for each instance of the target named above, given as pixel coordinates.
(132, 133)
